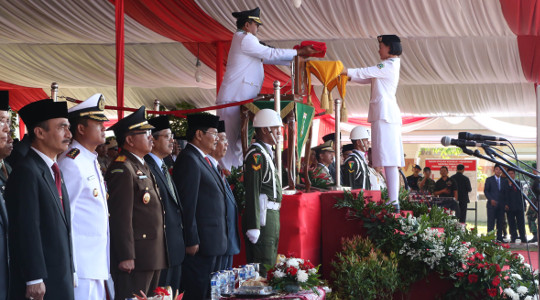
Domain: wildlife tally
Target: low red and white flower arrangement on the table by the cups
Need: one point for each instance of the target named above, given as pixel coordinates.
(290, 274)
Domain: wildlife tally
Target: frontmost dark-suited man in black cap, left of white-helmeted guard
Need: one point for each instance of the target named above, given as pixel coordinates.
(202, 194)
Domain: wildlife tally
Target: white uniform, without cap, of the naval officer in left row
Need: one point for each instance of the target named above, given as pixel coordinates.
(89, 218)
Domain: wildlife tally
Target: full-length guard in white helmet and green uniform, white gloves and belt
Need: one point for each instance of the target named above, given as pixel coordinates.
(260, 221)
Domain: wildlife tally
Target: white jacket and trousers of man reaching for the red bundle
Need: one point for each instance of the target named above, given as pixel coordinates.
(243, 80)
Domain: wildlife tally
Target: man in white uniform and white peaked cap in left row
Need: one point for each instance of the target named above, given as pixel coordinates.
(87, 198)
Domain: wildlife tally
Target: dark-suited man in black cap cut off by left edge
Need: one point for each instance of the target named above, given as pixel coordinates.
(4, 250)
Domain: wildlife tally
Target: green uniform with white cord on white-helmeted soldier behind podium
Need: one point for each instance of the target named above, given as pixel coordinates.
(355, 171)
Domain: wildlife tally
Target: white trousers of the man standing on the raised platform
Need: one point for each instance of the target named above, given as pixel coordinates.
(233, 123)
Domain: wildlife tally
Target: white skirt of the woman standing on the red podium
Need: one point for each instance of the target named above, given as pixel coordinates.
(386, 144)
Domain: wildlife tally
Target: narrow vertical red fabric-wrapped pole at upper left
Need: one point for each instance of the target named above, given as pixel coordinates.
(119, 10)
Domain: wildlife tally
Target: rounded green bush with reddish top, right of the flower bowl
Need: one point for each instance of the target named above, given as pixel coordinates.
(364, 272)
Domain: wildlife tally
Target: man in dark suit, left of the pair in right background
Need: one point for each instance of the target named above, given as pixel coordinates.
(495, 204)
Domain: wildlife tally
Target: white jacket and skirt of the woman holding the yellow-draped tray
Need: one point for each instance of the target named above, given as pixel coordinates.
(384, 114)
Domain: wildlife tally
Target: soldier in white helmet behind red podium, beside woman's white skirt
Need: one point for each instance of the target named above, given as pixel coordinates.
(355, 169)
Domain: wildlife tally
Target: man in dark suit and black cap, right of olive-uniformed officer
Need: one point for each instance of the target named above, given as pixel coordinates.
(163, 144)
